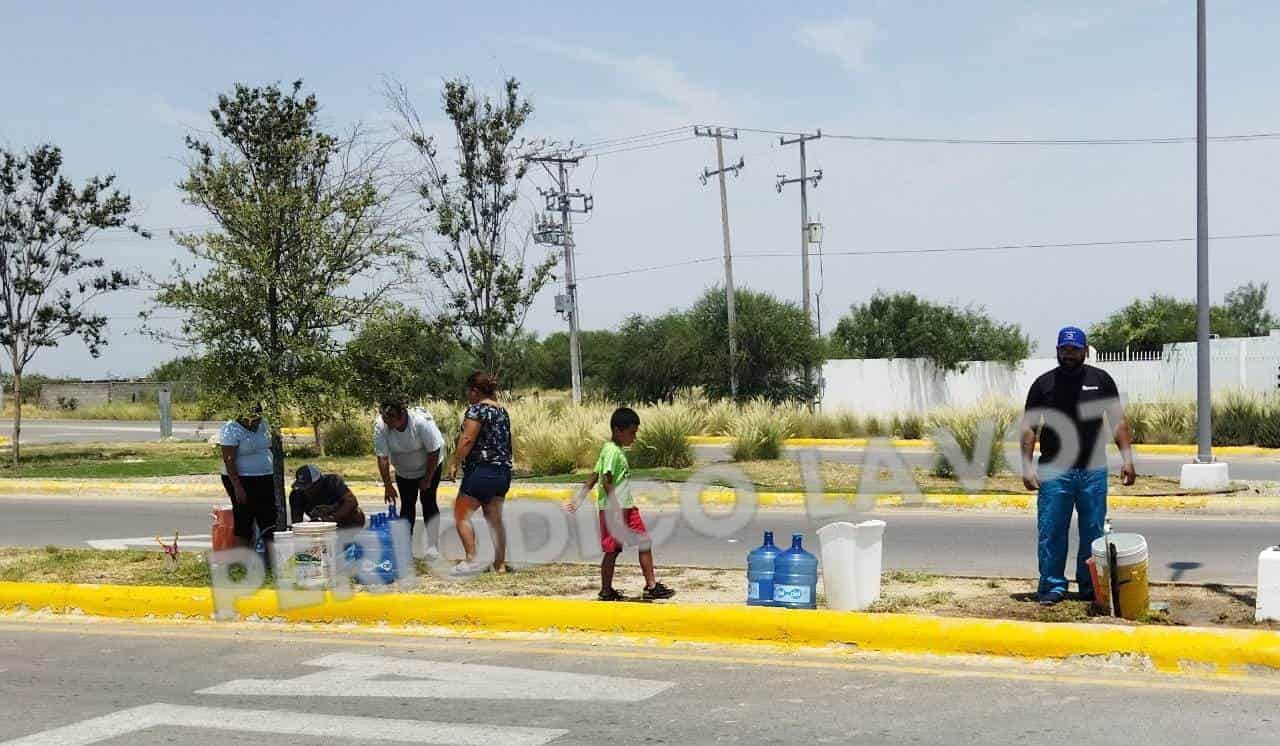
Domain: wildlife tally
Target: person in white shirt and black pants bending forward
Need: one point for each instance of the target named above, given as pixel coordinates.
(410, 442)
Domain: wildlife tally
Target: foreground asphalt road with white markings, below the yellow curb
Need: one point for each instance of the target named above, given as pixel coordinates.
(71, 684)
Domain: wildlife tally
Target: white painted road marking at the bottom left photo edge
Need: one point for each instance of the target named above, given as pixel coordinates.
(285, 724)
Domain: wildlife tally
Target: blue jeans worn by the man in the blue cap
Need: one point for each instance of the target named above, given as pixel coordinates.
(1084, 491)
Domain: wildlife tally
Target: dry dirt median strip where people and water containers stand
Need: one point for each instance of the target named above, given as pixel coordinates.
(903, 592)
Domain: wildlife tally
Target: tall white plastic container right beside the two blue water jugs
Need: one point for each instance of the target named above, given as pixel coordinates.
(852, 561)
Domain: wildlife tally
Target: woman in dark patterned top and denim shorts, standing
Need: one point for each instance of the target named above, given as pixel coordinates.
(484, 452)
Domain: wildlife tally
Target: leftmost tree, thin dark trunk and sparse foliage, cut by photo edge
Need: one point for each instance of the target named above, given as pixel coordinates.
(47, 282)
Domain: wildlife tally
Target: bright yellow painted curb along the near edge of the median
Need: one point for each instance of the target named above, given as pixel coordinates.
(1168, 648)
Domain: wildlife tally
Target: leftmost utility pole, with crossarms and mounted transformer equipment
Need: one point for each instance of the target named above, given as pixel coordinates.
(550, 232)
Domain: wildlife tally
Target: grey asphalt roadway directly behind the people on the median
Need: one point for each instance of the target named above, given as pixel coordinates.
(1185, 548)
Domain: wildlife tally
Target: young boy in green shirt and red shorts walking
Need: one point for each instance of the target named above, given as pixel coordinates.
(614, 475)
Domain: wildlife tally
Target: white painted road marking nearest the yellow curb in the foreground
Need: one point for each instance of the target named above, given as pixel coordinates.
(353, 675)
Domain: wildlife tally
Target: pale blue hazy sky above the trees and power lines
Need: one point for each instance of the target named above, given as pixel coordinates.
(120, 86)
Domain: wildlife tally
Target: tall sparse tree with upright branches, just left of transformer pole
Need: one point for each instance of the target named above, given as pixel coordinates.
(487, 286)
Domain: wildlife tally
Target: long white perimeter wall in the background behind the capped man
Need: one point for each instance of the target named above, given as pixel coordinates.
(886, 387)
